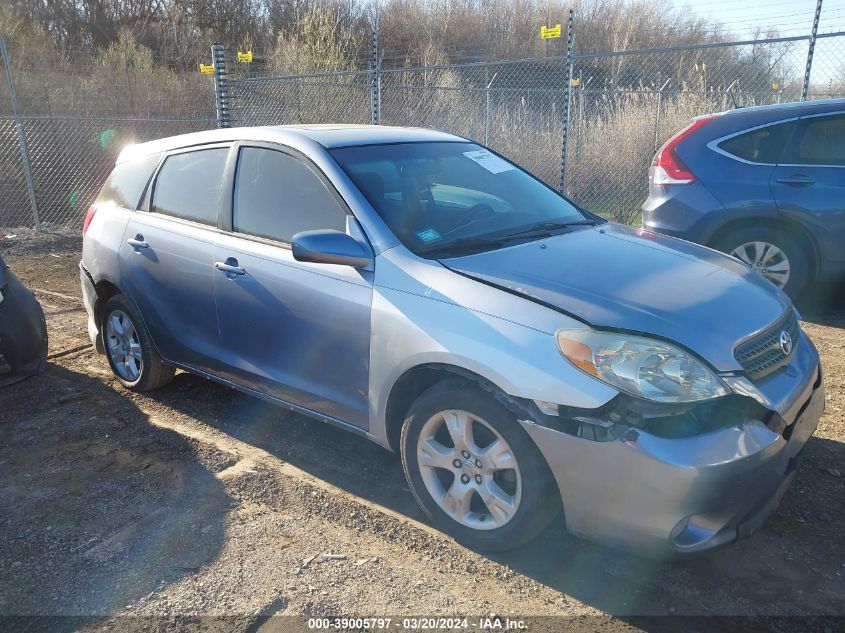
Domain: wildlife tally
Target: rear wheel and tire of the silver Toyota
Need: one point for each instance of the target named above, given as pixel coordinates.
(129, 347)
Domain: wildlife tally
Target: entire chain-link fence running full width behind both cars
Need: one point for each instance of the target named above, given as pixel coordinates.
(589, 121)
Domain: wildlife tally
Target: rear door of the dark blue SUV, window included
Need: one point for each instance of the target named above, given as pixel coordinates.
(809, 182)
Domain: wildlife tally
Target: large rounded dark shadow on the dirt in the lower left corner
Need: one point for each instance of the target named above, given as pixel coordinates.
(101, 508)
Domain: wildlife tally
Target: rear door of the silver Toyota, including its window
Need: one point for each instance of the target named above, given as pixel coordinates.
(167, 256)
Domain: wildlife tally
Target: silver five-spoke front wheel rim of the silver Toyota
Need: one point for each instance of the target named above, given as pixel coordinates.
(469, 470)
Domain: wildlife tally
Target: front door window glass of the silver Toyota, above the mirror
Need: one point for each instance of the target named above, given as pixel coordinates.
(278, 195)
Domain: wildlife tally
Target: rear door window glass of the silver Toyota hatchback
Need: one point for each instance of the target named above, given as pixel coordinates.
(188, 185)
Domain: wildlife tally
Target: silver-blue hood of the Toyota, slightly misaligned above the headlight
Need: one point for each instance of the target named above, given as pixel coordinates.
(612, 276)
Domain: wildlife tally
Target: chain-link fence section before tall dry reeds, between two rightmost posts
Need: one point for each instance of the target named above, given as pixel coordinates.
(626, 105)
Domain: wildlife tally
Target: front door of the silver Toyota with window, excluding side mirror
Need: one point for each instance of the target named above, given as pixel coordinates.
(294, 330)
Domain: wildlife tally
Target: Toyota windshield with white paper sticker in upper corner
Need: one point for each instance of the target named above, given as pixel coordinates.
(448, 198)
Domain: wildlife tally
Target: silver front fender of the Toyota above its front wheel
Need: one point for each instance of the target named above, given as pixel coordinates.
(412, 328)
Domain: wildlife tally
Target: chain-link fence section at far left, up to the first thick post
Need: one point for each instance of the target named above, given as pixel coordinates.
(64, 119)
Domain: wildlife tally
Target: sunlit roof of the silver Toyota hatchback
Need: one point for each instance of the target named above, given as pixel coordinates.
(326, 135)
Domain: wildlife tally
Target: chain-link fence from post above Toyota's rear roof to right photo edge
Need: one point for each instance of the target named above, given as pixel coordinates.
(623, 105)
